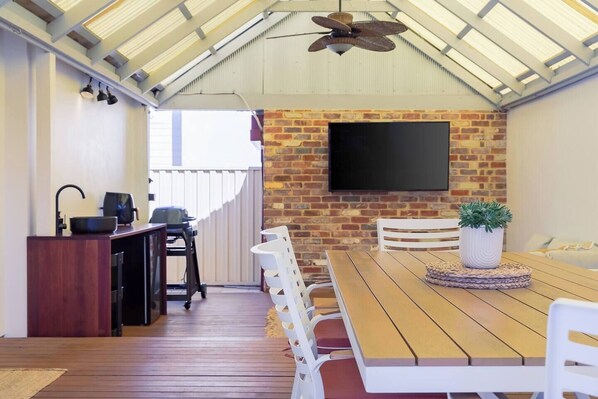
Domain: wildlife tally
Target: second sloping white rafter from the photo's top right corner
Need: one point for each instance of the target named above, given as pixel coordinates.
(499, 38)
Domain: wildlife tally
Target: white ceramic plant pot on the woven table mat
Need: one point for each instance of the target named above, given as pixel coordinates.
(479, 249)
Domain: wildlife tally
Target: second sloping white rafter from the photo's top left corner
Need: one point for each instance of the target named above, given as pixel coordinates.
(126, 32)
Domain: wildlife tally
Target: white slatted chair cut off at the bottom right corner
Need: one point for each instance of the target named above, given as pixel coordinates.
(564, 317)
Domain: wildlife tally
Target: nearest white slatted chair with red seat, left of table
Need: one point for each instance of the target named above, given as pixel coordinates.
(318, 376)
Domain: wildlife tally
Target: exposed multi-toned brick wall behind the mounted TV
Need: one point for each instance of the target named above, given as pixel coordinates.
(296, 178)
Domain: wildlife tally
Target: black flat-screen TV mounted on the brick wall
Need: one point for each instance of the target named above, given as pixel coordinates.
(388, 156)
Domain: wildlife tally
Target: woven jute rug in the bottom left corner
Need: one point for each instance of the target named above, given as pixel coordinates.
(25, 383)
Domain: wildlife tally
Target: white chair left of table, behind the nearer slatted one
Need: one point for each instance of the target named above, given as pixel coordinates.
(324, 304)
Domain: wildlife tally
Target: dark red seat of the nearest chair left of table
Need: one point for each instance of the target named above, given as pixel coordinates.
(342, 381)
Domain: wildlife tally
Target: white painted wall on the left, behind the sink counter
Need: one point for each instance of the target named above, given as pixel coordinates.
(50, 136)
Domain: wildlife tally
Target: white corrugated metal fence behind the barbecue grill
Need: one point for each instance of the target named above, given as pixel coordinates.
(227, 204)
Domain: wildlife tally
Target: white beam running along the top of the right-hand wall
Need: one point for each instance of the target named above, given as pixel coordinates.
(568, 75)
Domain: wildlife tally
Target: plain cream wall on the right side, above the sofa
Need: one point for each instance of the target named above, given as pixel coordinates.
(552, 167)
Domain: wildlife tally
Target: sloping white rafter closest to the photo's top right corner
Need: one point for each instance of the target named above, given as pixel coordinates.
(551, 30)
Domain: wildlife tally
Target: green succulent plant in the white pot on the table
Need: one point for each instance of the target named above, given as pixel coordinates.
(491, 215)
